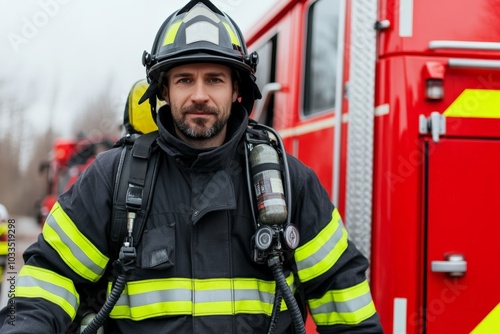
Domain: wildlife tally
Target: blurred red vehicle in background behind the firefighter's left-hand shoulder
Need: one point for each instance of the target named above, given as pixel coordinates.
(69, 158)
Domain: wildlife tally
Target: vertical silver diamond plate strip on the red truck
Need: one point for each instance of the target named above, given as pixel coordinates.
(361, 120)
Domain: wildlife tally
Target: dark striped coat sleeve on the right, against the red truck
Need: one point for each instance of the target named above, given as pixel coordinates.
(330, 268)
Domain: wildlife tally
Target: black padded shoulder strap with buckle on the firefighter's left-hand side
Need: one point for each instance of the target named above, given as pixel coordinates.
(134, 183)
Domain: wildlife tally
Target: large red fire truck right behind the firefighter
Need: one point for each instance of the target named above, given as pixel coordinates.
(396, 106)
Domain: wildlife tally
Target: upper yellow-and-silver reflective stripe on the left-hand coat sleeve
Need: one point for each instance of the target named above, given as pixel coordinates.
(73, 247)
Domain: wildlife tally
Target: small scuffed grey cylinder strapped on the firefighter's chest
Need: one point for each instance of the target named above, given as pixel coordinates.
(268, 184)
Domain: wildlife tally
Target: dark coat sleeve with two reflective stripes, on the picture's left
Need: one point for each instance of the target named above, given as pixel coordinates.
(70, 255)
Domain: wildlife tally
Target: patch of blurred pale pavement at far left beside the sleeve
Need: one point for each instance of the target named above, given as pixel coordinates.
(26, 233)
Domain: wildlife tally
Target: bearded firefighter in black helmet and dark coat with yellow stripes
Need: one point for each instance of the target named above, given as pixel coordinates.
(195, 270)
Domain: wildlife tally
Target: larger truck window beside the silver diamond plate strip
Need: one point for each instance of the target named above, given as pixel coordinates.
(321, 56)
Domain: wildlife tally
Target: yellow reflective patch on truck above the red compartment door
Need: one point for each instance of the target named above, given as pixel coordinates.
(475, 103)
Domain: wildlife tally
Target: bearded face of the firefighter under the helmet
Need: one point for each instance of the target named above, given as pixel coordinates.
(200, 97)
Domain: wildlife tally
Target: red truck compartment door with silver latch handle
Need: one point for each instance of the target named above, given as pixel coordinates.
(462, 229)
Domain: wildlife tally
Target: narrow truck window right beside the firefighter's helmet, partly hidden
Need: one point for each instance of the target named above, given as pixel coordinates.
(266, 73)
